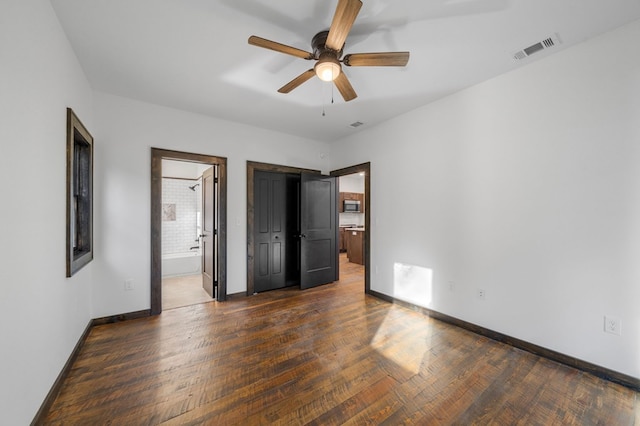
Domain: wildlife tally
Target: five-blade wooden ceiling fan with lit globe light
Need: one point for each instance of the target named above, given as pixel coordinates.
(327, 50)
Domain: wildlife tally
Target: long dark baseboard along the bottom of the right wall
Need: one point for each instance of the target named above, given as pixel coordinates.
(596, 370)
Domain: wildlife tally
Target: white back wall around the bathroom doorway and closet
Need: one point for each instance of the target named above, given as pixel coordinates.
(126, 131)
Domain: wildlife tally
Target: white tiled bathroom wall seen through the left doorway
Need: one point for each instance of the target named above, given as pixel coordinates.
(179, 235)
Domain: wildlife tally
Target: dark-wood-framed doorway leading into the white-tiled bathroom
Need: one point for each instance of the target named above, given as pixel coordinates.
(201, 238)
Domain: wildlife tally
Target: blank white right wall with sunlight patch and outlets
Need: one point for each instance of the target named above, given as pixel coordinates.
(526, 186)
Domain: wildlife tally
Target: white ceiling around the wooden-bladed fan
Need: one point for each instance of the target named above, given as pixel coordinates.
(193, 54)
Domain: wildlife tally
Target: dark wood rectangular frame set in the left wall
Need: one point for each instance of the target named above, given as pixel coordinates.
(79, 194)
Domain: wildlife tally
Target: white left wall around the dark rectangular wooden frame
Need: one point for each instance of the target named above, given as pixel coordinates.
(42, 313)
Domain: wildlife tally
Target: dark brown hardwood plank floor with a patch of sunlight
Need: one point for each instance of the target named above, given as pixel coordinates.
(324, 356)
